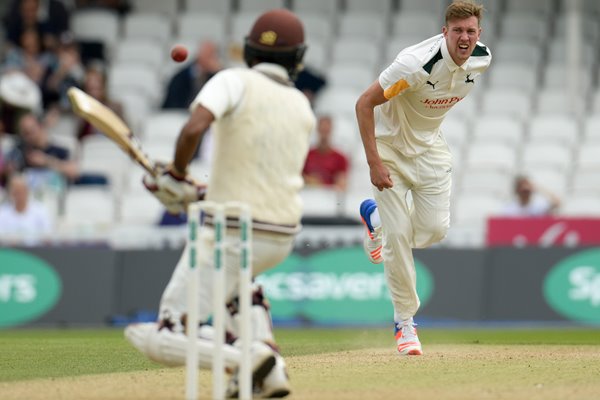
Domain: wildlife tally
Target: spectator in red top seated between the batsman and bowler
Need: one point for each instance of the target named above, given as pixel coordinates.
(326, 166)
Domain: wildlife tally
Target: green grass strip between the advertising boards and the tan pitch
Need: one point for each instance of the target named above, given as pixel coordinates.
(30, 354)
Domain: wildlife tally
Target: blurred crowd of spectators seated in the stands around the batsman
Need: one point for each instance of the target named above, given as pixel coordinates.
(40, 59)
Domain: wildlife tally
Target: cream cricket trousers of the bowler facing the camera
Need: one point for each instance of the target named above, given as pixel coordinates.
(429, 178)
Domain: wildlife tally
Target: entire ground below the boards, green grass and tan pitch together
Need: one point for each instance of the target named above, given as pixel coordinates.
(348, 364)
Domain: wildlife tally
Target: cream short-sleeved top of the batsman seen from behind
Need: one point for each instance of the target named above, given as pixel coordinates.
(261, 137)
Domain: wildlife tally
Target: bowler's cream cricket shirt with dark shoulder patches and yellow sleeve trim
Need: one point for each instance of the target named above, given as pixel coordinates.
(421, 86)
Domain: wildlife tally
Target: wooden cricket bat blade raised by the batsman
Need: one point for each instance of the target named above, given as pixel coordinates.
(109, 123)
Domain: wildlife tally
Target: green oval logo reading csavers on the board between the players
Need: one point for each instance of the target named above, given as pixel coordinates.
(335, 286)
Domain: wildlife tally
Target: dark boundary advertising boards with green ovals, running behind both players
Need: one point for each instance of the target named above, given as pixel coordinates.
(316, 286)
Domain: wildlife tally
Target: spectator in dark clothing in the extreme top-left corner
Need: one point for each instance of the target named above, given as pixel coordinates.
(50, 18)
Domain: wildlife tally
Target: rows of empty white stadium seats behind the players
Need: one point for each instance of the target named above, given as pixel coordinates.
(506, 126)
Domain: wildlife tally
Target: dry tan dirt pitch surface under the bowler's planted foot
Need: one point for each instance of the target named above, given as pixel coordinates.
(446, 371)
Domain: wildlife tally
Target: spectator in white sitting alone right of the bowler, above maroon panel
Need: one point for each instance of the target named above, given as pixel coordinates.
(531, 200)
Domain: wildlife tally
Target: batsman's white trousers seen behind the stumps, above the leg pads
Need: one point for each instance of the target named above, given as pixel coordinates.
(268, 250)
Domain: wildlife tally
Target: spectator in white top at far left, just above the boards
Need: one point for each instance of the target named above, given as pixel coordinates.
(23, 220)
